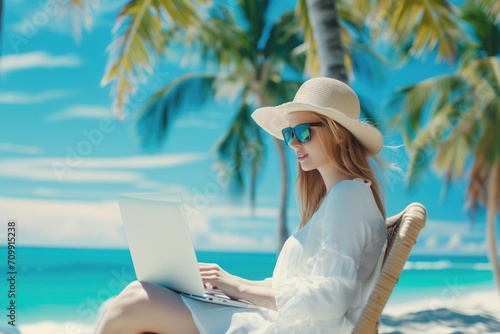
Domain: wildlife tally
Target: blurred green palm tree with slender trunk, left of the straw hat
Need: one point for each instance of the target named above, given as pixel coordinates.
(249, 61)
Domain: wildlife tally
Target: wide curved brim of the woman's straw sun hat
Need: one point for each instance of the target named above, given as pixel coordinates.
(274, 119)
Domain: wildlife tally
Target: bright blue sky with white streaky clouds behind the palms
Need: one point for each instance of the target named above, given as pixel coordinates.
(64, 155)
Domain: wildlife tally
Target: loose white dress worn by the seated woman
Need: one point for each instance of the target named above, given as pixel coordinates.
(323, 275)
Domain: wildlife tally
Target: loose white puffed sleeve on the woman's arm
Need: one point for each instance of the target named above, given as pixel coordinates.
(327, 291)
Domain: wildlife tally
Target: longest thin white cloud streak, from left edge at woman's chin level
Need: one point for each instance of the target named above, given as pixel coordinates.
(75, 168)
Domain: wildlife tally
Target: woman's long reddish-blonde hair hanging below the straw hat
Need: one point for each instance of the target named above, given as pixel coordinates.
(347, 154)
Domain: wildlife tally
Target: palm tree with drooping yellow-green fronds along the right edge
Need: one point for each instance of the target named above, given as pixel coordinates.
(463, 124)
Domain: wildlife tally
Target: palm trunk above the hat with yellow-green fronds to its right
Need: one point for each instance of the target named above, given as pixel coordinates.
(411, 27)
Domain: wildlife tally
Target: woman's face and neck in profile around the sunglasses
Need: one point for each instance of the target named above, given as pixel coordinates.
(310, 155)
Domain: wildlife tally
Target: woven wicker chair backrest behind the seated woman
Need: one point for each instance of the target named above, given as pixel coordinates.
(402, 232)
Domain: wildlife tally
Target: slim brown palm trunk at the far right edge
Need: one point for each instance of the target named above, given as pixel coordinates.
(492, 210)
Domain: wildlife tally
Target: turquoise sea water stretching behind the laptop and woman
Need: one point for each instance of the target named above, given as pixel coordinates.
(60, 284)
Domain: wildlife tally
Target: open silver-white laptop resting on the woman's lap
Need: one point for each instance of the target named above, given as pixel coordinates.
(161, 247)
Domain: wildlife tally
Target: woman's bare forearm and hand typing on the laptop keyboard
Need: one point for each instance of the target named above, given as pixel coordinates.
(259, 293)
